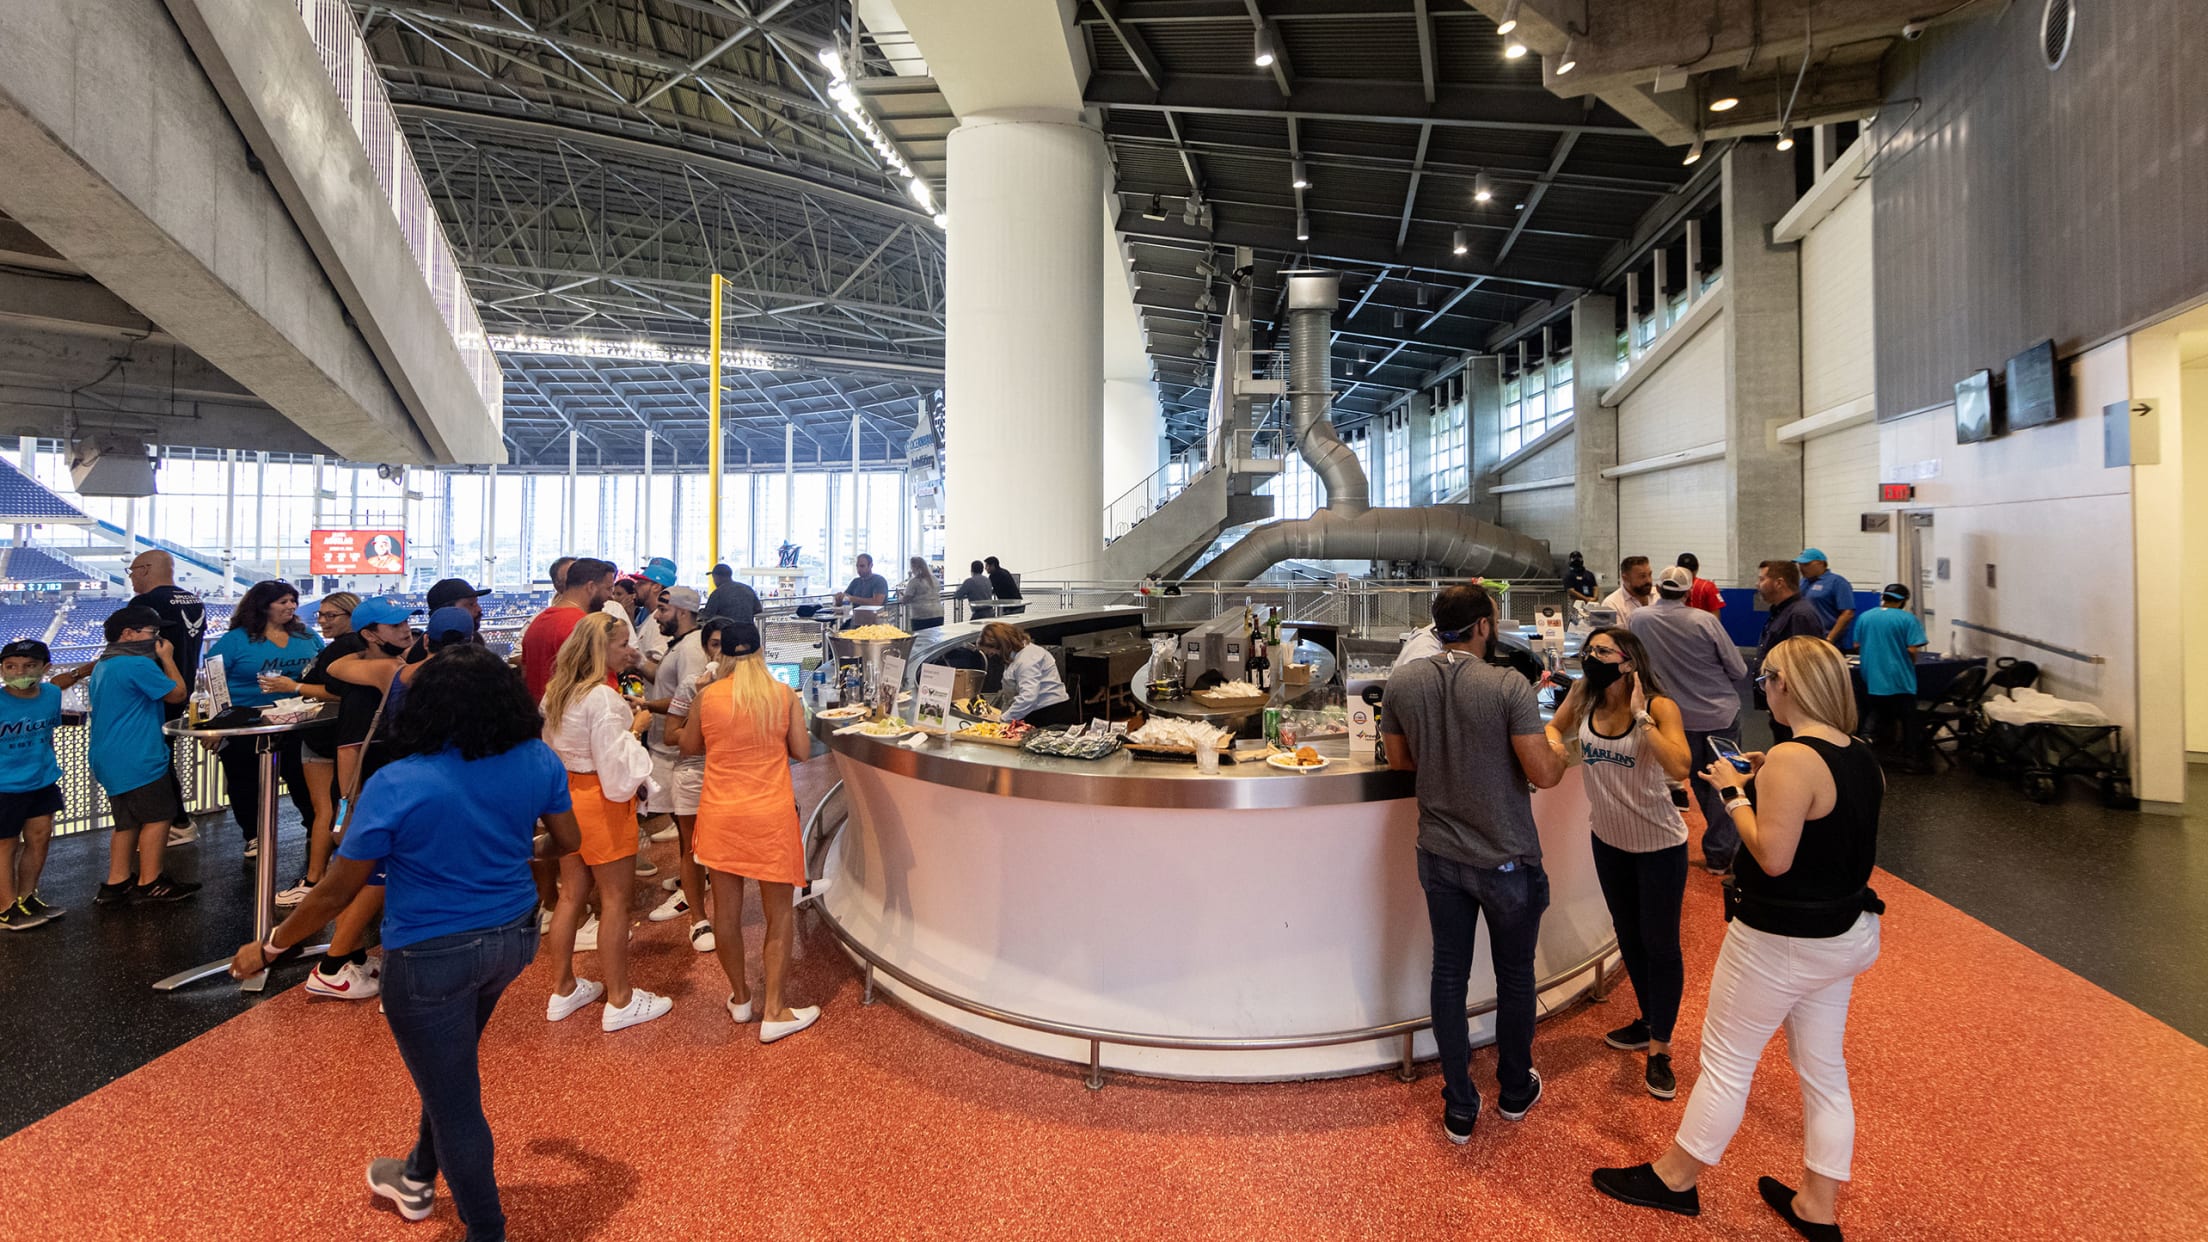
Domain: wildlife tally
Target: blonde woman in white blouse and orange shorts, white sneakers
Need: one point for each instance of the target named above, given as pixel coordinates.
(599, 739)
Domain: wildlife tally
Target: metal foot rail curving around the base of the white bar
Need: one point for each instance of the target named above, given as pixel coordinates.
(1098, 1038)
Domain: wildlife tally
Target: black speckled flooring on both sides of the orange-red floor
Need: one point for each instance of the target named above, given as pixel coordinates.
(2119, 898)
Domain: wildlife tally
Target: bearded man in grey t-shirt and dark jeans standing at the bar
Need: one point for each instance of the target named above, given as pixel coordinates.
(1474, 737)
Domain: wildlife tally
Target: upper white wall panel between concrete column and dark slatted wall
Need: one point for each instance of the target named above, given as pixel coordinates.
(1838, 364)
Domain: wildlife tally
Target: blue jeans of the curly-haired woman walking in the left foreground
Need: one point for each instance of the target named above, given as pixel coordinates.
(438, 998)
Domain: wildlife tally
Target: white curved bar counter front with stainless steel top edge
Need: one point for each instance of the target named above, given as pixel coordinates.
(1147, 918)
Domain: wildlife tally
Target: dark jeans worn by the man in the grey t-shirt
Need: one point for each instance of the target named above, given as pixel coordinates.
(1511, 901)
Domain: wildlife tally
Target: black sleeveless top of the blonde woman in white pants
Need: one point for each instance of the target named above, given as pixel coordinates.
(1829, 883)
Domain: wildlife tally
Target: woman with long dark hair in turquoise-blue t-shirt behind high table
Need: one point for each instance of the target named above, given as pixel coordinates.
(266, 653)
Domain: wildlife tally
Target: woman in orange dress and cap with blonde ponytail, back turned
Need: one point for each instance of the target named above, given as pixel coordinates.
(750, 728)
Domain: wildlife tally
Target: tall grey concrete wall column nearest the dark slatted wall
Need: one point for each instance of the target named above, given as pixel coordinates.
(1763, 361)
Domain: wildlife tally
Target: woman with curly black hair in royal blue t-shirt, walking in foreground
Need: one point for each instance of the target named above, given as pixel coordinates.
(452, 825)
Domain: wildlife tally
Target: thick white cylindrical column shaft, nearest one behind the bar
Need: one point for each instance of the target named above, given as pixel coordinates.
(1026, 350)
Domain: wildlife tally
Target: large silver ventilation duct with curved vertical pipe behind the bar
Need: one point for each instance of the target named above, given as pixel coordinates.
(1348, 529)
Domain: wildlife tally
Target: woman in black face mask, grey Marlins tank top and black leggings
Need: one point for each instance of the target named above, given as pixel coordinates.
(1633, 744)
